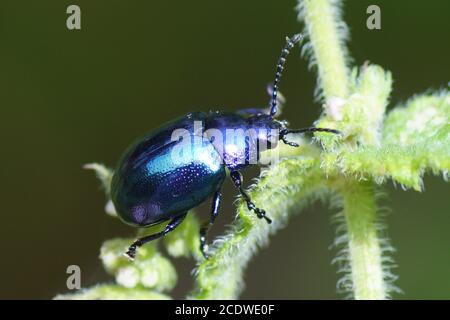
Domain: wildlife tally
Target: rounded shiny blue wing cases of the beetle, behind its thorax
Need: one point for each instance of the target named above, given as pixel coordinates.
(167, 182)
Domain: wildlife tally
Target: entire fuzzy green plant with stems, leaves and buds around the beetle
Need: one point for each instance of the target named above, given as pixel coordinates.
(347, 171)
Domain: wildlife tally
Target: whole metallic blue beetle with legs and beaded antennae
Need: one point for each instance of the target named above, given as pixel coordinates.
(160, 178)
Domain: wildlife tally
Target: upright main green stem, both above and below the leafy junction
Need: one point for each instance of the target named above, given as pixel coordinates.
(327, 33)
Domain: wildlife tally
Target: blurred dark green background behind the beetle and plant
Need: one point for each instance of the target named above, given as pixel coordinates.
(73, 97)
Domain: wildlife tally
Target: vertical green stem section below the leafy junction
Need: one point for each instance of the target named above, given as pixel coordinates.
(364, 250)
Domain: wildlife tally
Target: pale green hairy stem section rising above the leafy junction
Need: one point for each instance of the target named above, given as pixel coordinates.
(326, 35)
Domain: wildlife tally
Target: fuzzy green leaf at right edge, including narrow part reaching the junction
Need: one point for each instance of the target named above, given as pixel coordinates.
(416, 139)
